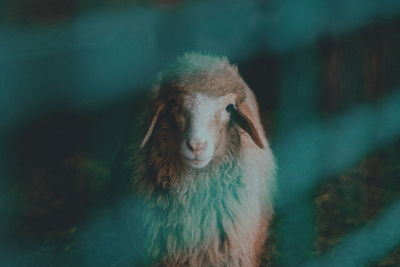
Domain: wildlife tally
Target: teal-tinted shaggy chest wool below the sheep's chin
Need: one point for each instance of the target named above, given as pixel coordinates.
(201, 209)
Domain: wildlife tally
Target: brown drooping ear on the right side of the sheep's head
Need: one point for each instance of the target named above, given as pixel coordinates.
(243, 117)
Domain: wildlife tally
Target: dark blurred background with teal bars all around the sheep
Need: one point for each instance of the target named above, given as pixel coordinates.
(73, 76)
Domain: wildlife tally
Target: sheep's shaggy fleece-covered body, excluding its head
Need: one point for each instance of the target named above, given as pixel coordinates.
(217, 216)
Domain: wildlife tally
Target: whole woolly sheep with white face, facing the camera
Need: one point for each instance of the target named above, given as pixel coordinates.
(204, 171)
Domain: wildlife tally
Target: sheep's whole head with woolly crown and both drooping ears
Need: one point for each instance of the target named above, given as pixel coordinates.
(202, 106)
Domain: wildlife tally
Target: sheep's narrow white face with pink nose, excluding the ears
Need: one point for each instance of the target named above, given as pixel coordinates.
(203, 121)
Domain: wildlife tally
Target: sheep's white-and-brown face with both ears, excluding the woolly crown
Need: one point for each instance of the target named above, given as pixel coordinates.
(197, 127)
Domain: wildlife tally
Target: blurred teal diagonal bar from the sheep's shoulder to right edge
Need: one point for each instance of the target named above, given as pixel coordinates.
(328, 147)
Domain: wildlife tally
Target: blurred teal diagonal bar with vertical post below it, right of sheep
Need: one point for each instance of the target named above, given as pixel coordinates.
(327, 148)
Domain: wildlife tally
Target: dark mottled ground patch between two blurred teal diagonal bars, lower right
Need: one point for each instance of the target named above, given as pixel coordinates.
(357, 196)
